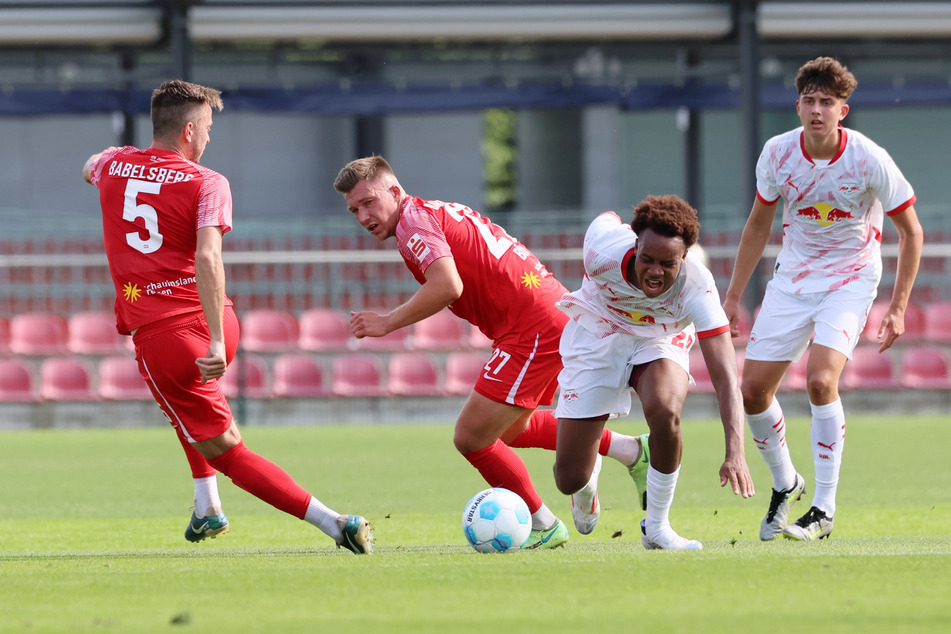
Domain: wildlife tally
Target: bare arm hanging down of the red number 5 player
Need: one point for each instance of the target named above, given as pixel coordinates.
(210, 280)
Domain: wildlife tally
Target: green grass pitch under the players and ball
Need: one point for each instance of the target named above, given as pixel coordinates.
(91, 527)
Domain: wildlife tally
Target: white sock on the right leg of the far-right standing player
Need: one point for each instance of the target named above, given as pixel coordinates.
(828, 440)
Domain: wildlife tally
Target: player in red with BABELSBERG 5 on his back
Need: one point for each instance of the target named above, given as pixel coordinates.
(163, 219)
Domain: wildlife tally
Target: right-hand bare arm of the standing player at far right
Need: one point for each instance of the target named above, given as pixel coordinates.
(910, 240)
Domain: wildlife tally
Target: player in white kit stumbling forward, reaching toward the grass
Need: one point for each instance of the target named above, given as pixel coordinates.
(643, 302)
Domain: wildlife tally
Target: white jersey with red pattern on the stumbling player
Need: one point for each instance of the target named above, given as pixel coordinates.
(608, 303)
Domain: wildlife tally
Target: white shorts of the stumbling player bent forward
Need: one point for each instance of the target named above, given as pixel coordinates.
(594, 380)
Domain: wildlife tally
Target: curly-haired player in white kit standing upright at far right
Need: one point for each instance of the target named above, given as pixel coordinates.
(836, 186)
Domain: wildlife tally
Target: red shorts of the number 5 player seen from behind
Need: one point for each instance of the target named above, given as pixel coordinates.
(166, 351)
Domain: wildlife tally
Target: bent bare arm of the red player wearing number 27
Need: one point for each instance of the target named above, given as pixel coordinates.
(443, 286)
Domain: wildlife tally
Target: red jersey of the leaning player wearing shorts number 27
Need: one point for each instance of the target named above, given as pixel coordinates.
(505, 288)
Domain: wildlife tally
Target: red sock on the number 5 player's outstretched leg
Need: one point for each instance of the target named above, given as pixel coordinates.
(263, 479)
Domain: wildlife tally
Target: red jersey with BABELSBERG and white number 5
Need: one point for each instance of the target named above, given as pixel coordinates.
(153, 203)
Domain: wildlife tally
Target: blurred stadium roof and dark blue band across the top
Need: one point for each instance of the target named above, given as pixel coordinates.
(381, 56)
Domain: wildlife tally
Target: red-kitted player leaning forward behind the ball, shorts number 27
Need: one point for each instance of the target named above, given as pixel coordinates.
(485, 276)
